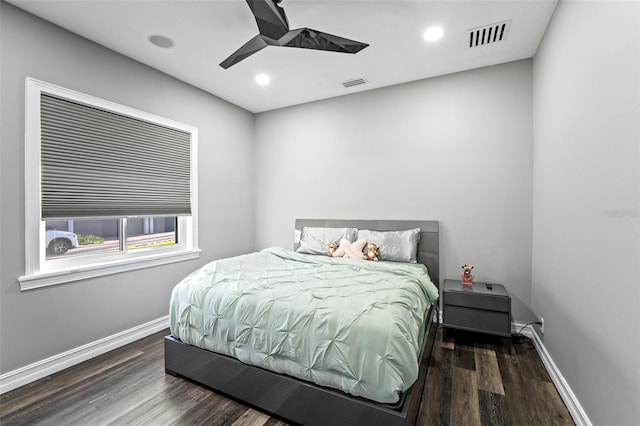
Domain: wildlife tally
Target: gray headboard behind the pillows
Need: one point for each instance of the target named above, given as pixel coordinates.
(428, 247)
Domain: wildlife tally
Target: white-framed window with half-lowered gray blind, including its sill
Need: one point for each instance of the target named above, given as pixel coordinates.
(108, 188)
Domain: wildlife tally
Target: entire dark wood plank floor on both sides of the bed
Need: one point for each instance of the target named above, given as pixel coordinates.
(472, 380)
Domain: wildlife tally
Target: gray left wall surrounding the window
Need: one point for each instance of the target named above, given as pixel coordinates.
(40, 323)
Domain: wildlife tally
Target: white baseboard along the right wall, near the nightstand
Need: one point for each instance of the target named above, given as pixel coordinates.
(571, 401)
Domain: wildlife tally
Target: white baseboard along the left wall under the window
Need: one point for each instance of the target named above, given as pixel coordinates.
(40, 369)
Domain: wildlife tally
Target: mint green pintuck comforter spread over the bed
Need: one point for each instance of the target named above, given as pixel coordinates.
(344, 323)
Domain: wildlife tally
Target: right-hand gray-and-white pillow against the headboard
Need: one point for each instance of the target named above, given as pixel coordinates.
(394, 246)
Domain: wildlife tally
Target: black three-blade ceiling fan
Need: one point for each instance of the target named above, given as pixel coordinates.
(274, 31)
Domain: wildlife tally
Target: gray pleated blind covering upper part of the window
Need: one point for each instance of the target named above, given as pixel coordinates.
(98, 163)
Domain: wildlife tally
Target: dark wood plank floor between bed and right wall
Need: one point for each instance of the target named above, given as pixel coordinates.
(475, 379)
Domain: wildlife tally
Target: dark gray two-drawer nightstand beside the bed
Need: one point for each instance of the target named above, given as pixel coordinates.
(476, 308)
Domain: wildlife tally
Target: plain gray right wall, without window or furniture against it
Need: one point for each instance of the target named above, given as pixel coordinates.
(586, 235)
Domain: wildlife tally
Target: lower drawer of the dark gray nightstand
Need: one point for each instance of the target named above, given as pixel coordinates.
(477, 320)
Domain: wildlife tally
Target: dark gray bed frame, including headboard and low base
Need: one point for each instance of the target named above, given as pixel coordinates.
(299, 401)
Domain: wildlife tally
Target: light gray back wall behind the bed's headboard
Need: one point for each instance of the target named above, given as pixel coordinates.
(456, 148)
